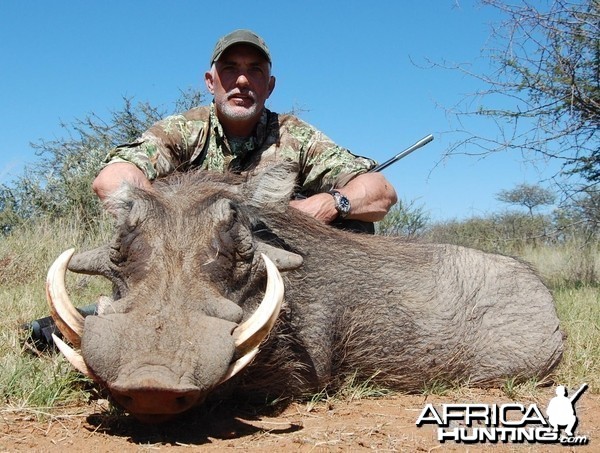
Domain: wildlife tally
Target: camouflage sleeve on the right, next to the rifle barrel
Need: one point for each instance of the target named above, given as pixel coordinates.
(327, 165)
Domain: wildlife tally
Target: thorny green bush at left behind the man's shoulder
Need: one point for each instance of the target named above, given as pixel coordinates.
(59, 184)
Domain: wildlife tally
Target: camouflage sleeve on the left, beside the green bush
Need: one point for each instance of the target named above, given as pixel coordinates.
(164, 148)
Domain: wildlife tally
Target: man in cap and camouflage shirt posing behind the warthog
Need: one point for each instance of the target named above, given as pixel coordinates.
(238, 133)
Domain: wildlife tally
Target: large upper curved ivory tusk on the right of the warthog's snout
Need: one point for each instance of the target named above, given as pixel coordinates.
(253, 331)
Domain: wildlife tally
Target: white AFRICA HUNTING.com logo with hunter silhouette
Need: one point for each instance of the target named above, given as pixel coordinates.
(513, 422)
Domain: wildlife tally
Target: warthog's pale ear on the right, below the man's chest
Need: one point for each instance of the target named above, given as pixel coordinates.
(272, 186)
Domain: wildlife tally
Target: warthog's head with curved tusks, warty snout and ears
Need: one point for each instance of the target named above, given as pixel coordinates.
(189, 273)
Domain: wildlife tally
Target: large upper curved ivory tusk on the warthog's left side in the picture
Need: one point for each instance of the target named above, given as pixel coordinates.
(69, 321)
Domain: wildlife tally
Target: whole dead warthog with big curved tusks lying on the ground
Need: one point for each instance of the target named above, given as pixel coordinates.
(190, 261)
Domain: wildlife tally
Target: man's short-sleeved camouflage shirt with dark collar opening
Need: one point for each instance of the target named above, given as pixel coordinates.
(195, 139)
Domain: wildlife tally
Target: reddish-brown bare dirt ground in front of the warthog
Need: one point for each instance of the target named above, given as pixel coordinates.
(384, 424)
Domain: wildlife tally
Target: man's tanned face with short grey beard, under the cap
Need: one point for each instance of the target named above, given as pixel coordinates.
(241, 82)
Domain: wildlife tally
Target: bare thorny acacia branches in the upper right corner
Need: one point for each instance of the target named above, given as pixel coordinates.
(543, 90)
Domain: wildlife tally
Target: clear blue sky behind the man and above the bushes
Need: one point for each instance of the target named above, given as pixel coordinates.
(359, 69)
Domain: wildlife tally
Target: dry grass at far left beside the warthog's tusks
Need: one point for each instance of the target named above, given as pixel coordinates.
(29, 381)
